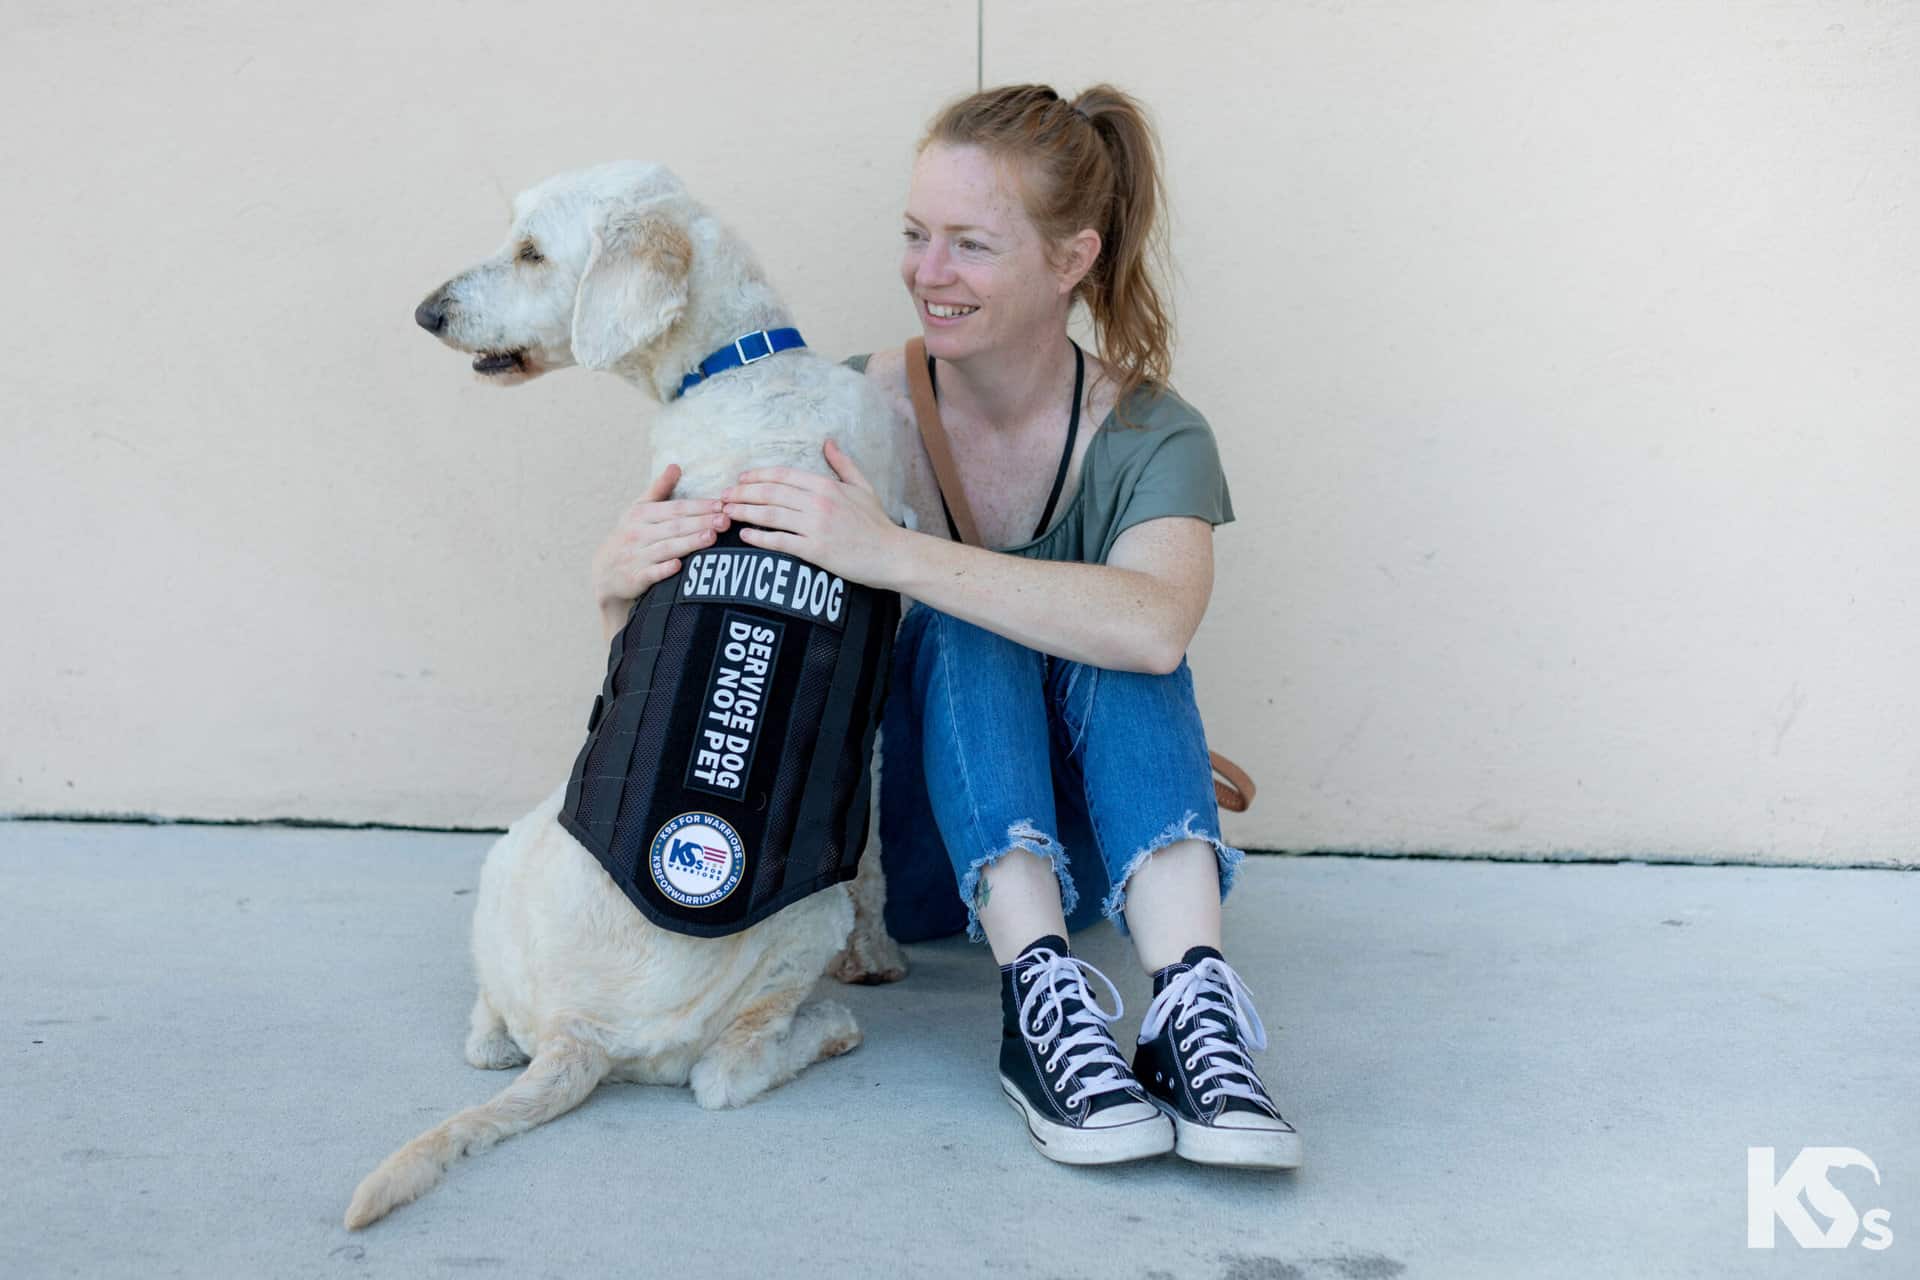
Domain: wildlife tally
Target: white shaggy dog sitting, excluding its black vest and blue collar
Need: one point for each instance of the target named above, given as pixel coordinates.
(619, 270)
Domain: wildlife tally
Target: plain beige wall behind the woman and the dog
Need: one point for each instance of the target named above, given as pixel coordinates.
(1562, 360)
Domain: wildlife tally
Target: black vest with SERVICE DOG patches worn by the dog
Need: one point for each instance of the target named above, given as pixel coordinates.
(727, 763)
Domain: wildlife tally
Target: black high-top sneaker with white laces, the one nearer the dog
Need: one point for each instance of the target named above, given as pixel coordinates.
(1061, 1068)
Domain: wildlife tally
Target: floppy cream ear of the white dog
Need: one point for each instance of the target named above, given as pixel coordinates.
(635, 287)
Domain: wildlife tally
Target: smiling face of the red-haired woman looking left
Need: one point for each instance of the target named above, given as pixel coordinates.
(972, 260)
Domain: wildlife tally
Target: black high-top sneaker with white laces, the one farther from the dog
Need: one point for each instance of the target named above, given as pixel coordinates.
(1193, 1058)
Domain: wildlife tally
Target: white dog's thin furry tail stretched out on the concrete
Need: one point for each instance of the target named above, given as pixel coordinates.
(562, 1076)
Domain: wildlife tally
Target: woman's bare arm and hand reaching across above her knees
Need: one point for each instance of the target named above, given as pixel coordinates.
(1136, 613)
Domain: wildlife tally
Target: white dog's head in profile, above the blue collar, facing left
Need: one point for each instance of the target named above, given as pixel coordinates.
(592, 273)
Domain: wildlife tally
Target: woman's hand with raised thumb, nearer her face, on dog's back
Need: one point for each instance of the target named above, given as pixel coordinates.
(828, 521)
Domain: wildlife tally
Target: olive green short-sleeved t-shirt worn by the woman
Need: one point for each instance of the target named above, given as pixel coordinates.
(1164, 463)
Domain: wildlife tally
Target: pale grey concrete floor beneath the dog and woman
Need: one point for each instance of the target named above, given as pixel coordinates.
(1500, 1070)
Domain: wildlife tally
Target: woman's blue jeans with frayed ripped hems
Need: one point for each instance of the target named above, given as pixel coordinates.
(990, 747)
